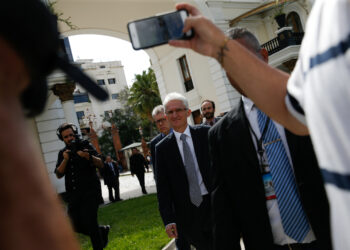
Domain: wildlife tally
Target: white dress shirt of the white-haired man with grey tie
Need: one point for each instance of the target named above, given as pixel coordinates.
(189, 141)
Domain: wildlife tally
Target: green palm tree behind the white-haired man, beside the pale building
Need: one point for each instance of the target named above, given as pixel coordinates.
(144, 94)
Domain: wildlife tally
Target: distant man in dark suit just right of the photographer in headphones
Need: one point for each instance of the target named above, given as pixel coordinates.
(111, 178)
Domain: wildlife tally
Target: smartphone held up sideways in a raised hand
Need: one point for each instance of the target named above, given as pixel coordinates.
(157, 30)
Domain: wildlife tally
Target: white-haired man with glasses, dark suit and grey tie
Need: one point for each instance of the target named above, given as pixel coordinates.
(183, 176)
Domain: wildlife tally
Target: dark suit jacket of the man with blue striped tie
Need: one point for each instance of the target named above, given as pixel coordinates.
(238, 198)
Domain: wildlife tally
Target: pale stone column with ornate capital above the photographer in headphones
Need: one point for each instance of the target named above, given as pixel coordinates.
(65, 92)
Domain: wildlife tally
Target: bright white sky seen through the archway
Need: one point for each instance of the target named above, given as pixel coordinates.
(105, 48)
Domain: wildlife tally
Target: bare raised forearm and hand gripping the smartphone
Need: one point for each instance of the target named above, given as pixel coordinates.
(264, 85)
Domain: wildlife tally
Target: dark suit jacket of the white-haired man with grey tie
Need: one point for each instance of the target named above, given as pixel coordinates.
(172, 185)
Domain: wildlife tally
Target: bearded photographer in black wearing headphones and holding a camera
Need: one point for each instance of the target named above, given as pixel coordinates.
(77, 161)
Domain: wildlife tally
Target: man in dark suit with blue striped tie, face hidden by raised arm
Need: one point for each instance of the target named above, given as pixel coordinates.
(247, 201)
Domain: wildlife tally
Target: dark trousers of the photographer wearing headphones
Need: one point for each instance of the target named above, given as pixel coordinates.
(82, 209)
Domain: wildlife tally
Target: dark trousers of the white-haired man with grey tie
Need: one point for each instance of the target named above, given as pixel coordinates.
(199, 232)
